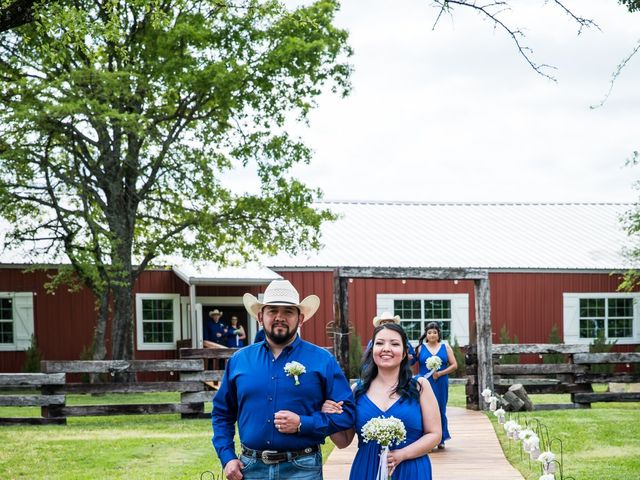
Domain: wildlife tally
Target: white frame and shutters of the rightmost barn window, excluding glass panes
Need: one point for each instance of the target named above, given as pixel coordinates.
(571, 317)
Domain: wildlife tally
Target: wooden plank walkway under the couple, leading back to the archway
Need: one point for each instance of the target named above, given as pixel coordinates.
(473, 452)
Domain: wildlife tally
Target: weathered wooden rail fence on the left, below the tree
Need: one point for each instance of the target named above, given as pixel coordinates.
(192, 382)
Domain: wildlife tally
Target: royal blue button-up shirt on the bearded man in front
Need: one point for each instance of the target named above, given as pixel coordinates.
(255, 386)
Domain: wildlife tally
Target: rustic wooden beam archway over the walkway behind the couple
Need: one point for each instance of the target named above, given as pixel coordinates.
(482, 309)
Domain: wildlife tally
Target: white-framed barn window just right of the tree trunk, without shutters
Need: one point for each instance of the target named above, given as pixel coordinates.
(158, 320)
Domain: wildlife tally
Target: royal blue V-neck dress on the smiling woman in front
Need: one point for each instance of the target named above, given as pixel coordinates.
(365, 465)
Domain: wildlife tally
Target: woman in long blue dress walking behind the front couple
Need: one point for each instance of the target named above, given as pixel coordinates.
(439, 380)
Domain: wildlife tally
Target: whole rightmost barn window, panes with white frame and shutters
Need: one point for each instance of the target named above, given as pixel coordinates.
(615, 316)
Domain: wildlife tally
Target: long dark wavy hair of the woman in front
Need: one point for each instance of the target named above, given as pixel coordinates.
(407, 386)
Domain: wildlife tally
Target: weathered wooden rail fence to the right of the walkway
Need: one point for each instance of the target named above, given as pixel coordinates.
(575, 376)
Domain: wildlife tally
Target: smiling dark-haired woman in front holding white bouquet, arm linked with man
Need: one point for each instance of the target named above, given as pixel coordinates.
(388, 389)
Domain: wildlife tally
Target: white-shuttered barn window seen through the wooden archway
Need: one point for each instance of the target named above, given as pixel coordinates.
(450, 310)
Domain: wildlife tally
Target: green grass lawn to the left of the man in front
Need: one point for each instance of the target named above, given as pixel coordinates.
(131, 447)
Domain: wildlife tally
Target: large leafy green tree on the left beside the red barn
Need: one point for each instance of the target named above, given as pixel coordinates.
(120, 119)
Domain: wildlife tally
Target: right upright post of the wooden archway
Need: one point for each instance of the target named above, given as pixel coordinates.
(483, 328)
